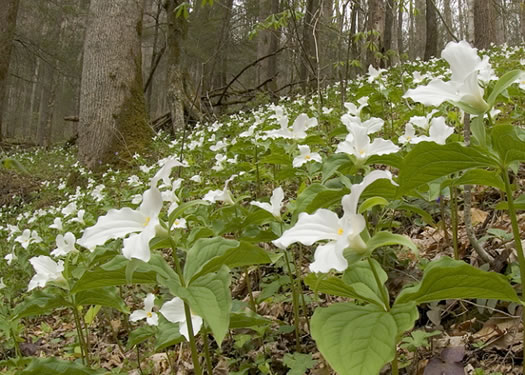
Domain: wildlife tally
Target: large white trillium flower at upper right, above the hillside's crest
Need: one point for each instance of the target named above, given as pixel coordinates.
(463, 86)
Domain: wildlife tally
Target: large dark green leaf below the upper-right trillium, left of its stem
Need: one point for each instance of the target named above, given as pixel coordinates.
(428, 161)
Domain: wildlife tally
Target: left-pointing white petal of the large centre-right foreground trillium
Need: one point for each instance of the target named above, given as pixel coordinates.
(322, 225)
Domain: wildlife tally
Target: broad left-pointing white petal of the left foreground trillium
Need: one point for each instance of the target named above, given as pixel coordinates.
(115, 224)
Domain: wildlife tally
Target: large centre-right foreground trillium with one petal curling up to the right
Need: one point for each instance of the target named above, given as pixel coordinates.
(341, 232)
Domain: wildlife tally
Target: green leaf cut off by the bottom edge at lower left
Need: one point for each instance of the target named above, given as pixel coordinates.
(53, 366)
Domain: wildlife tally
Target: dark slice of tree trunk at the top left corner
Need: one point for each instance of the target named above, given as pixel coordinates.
(8, 13)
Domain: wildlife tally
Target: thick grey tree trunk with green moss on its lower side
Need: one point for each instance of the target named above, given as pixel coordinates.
(113, 119)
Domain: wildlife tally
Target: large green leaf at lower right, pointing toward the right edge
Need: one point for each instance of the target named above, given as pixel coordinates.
(446, 278)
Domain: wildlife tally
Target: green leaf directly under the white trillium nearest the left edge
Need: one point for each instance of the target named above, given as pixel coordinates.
(40, 302)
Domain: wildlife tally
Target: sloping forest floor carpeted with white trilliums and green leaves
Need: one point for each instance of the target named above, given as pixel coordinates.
(226, 217)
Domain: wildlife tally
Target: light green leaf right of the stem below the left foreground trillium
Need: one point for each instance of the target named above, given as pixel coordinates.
(204, 250)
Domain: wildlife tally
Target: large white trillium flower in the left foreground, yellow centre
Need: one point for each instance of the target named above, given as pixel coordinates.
(141, 223)
